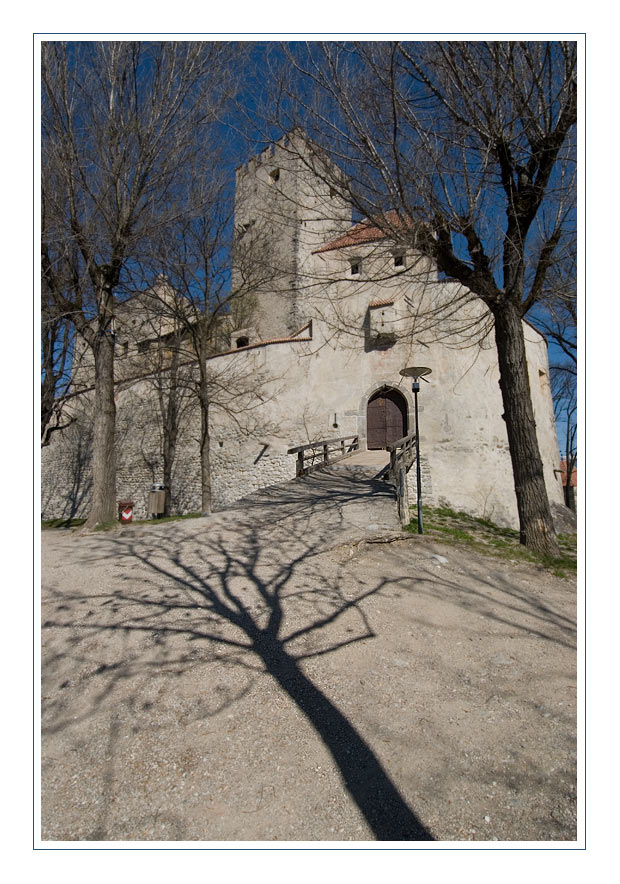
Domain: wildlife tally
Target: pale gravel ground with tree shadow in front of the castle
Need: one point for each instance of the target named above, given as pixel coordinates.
(263, 675)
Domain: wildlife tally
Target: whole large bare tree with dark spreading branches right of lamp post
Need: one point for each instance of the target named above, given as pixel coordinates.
(465, 152)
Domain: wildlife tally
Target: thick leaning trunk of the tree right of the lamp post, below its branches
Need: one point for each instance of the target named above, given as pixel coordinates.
(535, 520)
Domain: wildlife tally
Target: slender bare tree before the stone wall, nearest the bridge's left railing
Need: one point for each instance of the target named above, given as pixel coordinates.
(205, 305)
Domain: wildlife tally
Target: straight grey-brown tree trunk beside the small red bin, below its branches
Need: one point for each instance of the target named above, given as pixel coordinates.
(104, 451)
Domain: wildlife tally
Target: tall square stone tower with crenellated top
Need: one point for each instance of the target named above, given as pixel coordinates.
(284, 210)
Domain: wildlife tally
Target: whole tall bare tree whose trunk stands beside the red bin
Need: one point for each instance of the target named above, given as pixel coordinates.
(121, 122)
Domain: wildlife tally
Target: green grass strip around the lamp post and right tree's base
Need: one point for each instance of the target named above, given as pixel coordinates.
(443, 523)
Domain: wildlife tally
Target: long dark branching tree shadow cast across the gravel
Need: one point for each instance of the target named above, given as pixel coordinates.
(250, 584)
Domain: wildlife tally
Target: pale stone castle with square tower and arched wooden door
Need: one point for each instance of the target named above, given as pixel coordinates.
(339, 309)
